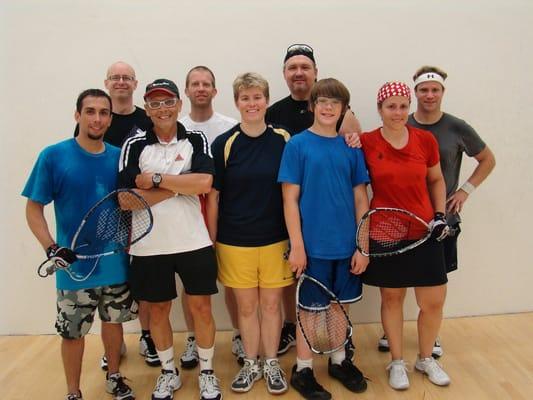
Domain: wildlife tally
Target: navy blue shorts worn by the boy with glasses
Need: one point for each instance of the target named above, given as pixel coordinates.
(336, 276)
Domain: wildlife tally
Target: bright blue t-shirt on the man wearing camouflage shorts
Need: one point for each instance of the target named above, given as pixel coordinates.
(75, 180)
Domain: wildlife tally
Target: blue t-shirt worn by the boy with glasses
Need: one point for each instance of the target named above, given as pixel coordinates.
(326, 170)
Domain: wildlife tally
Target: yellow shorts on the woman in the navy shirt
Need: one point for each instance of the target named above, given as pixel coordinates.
(248, 267)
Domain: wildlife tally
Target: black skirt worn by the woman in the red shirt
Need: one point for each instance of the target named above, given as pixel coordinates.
(421, 266)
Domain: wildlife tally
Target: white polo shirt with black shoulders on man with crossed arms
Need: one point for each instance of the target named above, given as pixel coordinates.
(178, 222)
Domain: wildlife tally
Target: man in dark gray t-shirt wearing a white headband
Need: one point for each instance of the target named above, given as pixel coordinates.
(455, 137)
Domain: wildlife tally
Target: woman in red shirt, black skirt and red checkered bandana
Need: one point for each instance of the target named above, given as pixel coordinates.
(404, 168)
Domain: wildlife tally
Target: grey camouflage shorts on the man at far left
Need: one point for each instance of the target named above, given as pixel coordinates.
(76, 308)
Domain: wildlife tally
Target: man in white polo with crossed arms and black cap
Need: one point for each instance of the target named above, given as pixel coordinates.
(170, 167)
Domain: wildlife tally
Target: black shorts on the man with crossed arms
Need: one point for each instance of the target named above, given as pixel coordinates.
(152, 278)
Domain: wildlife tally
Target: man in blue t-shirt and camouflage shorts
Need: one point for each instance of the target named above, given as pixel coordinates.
(75, 174)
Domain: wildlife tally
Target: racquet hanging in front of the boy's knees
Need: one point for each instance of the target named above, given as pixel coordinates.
(322, 318)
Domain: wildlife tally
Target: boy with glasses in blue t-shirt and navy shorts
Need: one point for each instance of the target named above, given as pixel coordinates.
(324, 193)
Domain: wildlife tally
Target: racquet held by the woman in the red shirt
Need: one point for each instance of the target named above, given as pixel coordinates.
(390, 231)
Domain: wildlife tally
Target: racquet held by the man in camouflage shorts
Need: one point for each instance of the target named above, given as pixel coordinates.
(112, 225)
